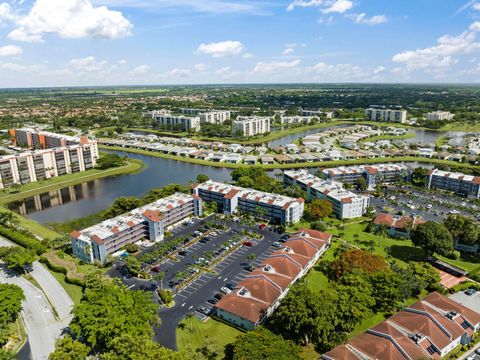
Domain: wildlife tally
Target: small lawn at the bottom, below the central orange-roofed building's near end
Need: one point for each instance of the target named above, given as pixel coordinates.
(202, 333)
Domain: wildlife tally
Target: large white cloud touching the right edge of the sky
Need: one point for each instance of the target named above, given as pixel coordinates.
(442, 54)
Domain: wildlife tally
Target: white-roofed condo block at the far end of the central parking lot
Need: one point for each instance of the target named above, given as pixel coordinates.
(232, 199)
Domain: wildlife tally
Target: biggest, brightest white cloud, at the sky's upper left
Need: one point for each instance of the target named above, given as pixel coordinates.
(73, 19)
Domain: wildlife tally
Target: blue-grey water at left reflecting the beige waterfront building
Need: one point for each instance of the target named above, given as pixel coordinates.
(93, 196)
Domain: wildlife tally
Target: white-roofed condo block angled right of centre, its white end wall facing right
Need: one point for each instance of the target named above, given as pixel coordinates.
(346, 204)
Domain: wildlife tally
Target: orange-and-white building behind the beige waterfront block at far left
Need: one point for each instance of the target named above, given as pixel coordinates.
(33, 139)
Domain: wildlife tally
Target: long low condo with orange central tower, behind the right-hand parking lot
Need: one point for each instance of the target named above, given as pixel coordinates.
(373, 174)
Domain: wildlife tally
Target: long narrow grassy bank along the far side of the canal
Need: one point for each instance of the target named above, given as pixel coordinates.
(299, 165)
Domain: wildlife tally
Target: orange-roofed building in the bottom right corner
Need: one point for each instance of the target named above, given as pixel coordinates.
(428, 329)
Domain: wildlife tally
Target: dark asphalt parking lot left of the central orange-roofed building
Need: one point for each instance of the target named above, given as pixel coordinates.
(194, 298)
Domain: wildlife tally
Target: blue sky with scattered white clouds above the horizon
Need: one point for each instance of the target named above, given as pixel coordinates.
(154, 42)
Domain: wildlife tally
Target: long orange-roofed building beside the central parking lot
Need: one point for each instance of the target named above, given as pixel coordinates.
(255, 298)
